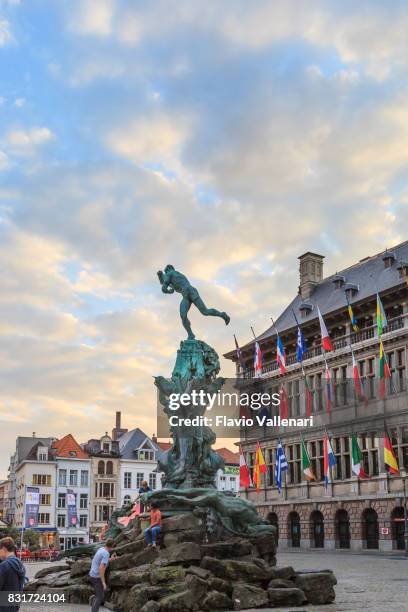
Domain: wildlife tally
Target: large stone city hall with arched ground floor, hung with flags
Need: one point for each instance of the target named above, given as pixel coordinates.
(351, 513)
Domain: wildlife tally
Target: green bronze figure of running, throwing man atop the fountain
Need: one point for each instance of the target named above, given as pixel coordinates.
(172, 281)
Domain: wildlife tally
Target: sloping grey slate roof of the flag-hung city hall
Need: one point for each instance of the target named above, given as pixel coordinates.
(369, 275)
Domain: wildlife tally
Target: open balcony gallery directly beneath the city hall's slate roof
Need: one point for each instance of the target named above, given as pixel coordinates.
(364, 338)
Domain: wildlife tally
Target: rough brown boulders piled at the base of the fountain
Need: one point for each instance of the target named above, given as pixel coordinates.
(188, 573)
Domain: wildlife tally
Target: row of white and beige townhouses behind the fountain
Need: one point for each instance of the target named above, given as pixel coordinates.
(103, 474)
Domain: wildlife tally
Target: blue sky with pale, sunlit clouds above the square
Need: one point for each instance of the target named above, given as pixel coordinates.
(225, 138)
